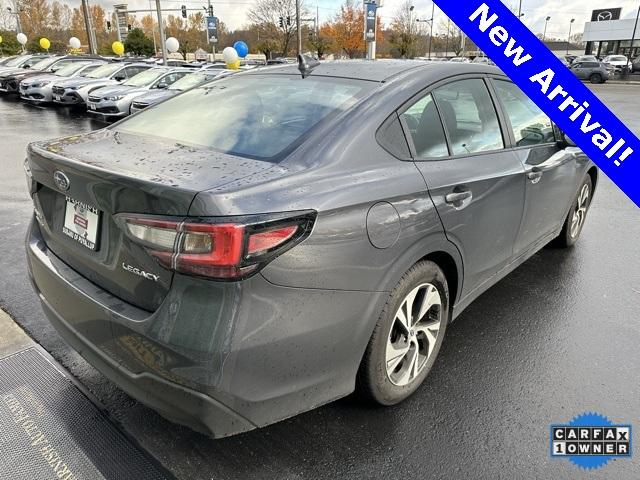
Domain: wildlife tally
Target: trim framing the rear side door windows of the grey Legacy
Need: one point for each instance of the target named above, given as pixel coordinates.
(429, 90)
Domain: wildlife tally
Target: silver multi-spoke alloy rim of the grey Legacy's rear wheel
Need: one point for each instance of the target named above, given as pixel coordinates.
(413, 334)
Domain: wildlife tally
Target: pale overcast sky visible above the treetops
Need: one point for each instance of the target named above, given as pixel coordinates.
(233, 13)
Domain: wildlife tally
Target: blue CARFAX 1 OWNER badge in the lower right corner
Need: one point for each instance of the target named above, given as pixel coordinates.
(590, 440)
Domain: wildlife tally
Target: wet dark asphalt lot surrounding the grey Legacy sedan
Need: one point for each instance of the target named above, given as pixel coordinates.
(556, 338)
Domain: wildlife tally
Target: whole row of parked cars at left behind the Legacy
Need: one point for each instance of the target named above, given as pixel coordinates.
(108, 88)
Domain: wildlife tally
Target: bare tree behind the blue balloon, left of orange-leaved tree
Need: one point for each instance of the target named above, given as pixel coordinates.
(266, 14)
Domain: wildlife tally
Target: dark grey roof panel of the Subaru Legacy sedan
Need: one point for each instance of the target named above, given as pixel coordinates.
(376, 70)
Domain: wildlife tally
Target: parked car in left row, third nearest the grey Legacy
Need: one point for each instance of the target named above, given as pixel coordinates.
(74, 92)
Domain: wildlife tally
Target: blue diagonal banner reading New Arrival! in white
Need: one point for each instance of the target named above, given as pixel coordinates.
(553, 87)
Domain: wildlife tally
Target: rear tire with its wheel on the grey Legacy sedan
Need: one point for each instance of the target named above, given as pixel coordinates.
(420, 341)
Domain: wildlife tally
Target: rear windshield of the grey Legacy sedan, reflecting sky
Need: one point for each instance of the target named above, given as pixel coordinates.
(256, 116)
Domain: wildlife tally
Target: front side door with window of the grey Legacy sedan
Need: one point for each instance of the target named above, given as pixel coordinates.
(550, 170)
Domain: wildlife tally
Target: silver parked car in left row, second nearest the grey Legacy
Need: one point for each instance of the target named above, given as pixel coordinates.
(115, 101)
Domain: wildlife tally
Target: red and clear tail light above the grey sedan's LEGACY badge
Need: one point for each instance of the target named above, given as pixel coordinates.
(229, 248)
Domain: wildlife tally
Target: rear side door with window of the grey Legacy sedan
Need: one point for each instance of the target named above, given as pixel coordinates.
(476, 184)
